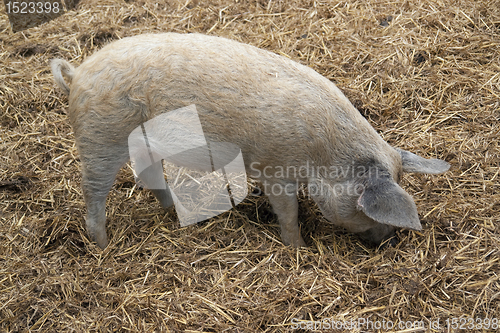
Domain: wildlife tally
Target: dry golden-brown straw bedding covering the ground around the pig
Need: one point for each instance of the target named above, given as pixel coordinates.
(424, 73)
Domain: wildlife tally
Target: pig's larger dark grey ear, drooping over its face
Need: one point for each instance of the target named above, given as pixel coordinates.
(384, 201)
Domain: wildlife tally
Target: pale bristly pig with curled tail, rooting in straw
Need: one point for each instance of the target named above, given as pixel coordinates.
(281, 114)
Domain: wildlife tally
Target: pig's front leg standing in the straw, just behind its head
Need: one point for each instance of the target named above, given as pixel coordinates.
(283, 199)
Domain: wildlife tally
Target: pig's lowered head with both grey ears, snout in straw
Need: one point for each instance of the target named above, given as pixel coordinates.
(371, 203)
